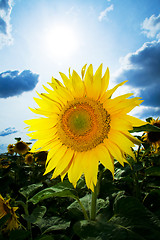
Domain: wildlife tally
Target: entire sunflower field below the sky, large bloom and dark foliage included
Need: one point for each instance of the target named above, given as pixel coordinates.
(83, 178)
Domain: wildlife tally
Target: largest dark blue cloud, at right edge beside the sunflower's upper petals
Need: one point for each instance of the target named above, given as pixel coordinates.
(142, 70)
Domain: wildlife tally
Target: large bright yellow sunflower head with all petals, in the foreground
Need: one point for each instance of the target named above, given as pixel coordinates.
(82, 126)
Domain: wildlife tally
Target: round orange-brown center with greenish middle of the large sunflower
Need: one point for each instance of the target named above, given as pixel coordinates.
(84, 124)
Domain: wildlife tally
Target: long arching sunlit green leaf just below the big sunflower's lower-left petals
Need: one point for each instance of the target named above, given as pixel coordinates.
(62, 189)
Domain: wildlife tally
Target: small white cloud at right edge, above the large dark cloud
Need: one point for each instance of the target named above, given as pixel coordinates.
(151, 26)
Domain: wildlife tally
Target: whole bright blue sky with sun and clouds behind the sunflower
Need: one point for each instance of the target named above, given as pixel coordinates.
(40, 38)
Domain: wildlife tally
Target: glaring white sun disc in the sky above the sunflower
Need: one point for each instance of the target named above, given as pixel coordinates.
(60, 41)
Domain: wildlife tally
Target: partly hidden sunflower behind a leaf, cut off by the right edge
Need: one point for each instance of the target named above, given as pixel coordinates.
(153, 138)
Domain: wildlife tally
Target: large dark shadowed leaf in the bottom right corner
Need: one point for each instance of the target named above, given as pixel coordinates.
(131, 213)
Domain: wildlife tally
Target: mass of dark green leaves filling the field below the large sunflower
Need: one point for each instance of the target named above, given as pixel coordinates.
(127, 207)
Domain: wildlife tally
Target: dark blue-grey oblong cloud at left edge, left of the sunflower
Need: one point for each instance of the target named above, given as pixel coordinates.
(13, 83)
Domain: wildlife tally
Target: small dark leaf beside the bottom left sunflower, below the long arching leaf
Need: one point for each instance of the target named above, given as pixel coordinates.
(36, 215)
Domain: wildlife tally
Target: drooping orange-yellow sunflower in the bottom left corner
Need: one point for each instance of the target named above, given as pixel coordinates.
(12, 223)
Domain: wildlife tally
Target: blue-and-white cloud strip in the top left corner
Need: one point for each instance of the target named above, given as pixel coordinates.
(5, 27)
